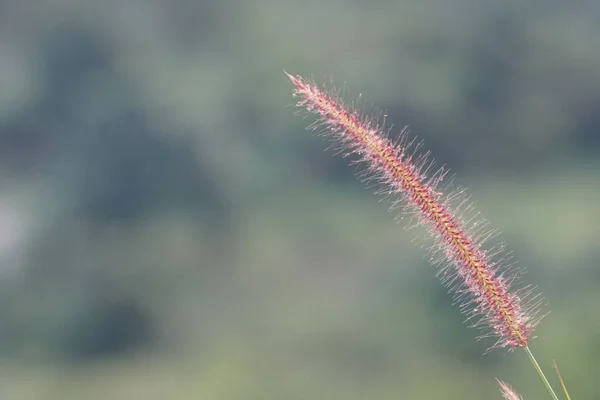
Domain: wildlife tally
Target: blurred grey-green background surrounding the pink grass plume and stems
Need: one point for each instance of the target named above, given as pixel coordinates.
(168, 230)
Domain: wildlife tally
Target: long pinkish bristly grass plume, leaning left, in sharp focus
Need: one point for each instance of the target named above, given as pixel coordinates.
(481, 279)
